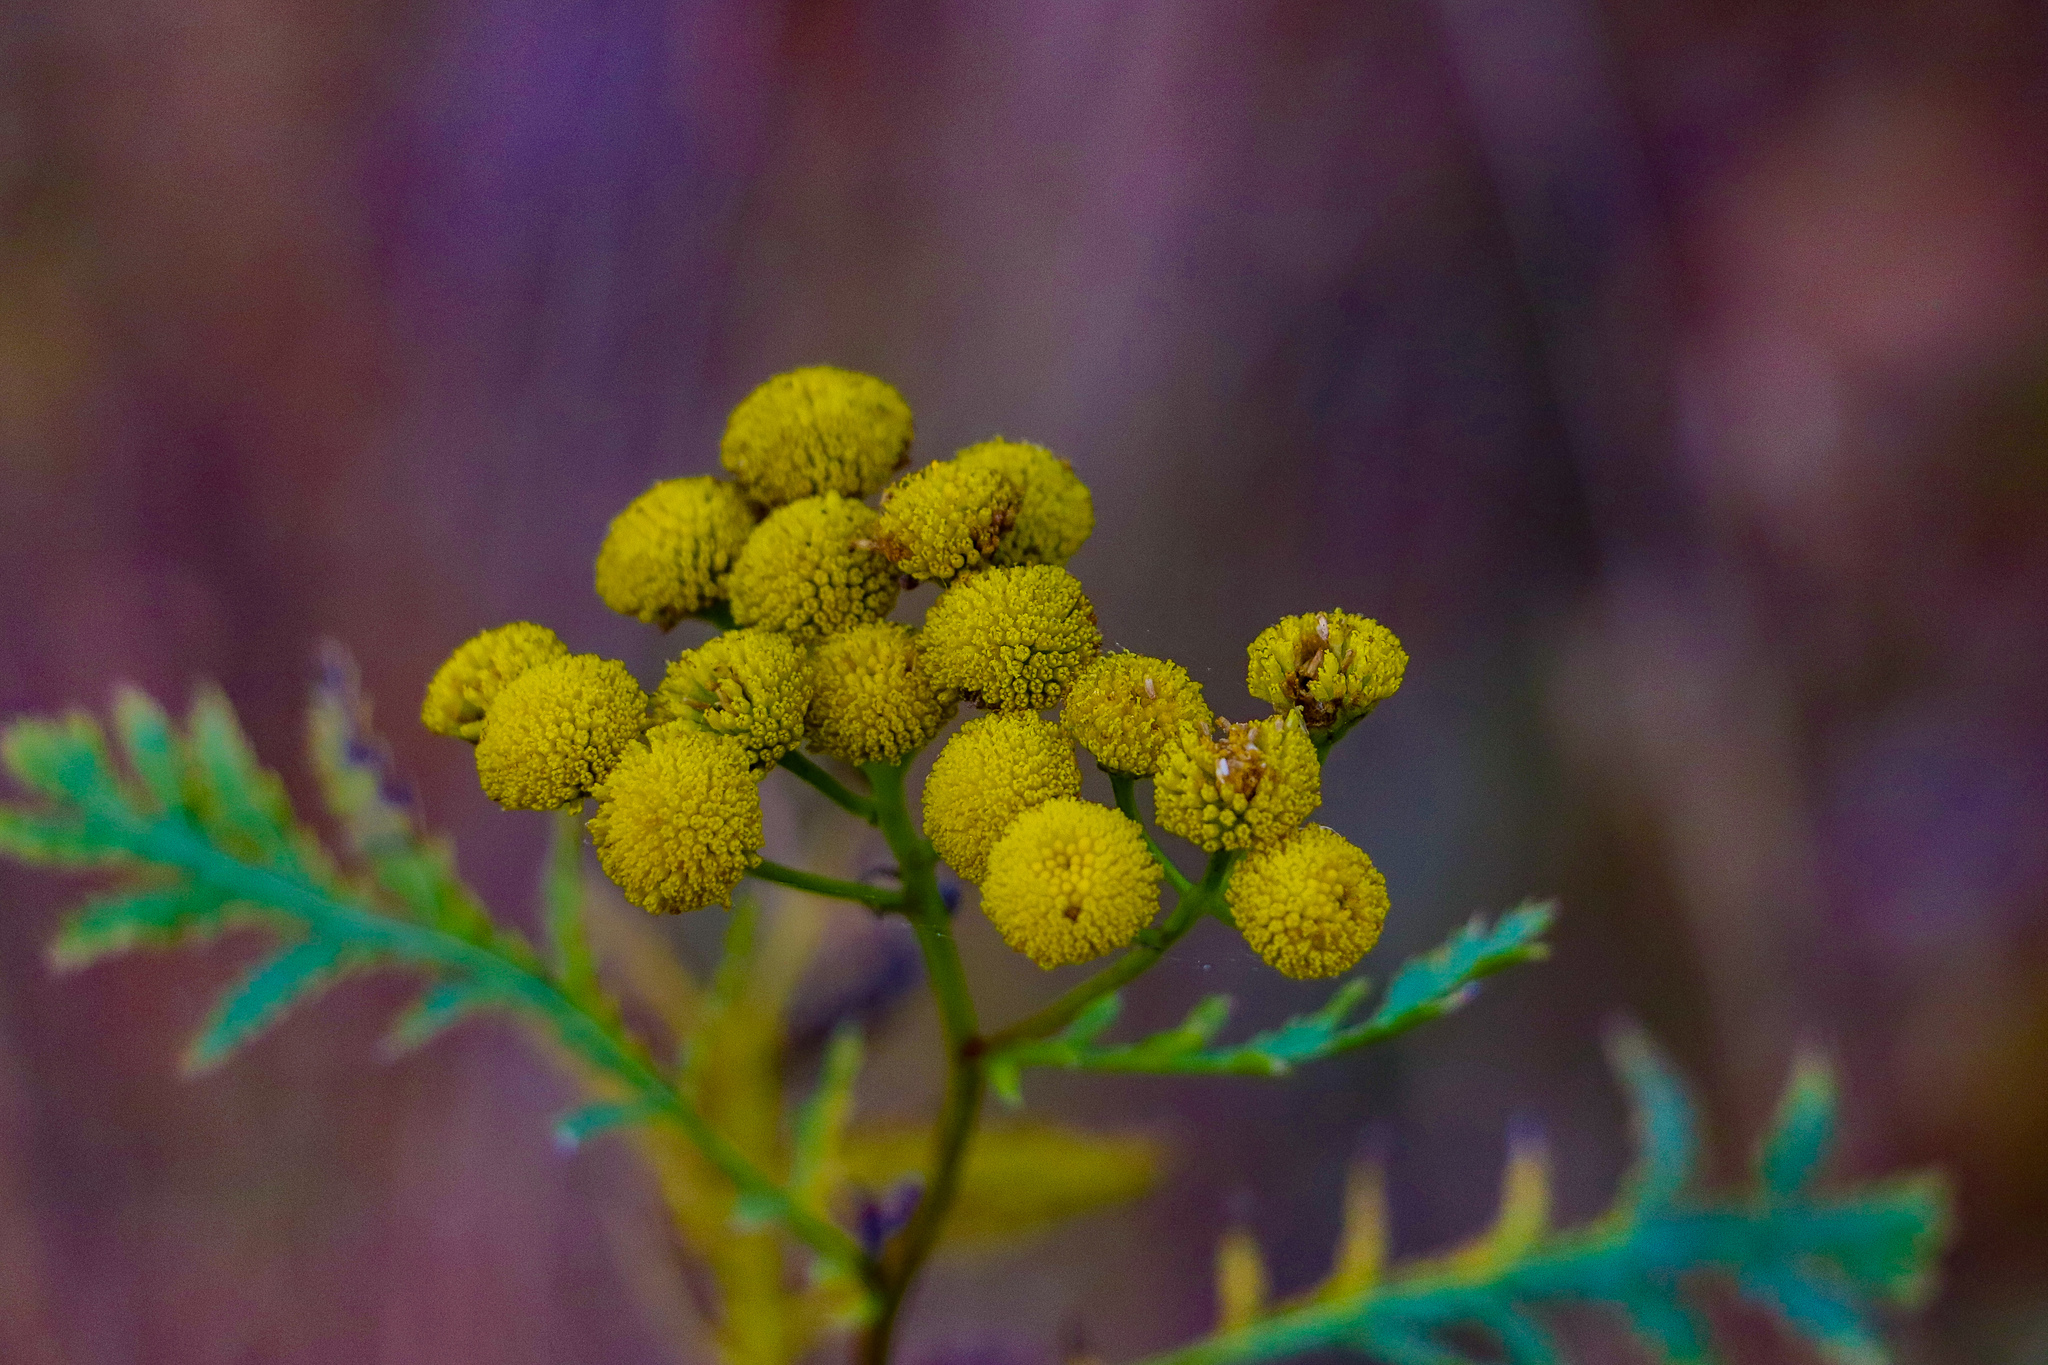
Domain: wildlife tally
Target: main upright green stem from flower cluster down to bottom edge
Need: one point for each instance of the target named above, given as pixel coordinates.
(966, 1073)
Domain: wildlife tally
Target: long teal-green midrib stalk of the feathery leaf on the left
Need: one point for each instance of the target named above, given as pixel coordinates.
(597, 1043)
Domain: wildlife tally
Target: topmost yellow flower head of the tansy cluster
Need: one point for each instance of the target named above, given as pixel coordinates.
(816, 431)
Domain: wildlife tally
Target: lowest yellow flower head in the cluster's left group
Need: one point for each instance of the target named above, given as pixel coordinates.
(679, 822)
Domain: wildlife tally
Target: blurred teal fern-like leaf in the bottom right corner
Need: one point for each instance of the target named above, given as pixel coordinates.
(1826, 1262)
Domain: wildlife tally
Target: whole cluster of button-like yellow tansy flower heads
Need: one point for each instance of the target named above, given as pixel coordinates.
(800, 558)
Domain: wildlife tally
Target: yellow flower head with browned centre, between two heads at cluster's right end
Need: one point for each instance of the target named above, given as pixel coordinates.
(1246, 787)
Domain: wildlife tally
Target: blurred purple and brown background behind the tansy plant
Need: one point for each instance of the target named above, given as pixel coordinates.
(1672, 378)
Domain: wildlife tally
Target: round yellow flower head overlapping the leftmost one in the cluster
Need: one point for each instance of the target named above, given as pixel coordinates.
(558, 730)
